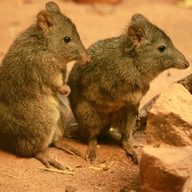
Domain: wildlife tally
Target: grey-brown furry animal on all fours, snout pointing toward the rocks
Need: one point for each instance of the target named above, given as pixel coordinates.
(107, 91)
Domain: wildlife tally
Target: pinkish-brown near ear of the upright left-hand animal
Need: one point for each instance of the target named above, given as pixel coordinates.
(45, 20)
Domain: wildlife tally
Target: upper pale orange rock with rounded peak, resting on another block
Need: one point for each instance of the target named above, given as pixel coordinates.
(170, 118)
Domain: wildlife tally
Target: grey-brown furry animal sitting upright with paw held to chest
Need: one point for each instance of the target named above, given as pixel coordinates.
(31, 77)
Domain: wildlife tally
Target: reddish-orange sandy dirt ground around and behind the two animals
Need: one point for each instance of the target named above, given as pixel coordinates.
(93, 22)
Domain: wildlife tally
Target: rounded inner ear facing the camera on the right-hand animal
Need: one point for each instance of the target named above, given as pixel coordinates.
(136, 34)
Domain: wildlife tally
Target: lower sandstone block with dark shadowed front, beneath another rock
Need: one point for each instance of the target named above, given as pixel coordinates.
(165, 169)
